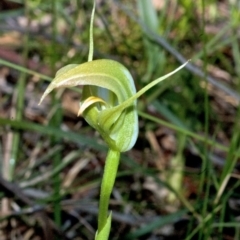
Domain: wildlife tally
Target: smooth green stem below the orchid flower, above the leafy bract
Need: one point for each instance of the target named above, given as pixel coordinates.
(109, 176)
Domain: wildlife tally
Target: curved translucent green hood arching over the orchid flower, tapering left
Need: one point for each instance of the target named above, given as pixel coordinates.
(103, 73)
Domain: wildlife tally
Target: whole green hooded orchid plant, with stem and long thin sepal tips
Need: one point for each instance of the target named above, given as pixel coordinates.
(108, 104)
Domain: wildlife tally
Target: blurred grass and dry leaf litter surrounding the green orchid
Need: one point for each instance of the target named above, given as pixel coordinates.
(181, 180)
